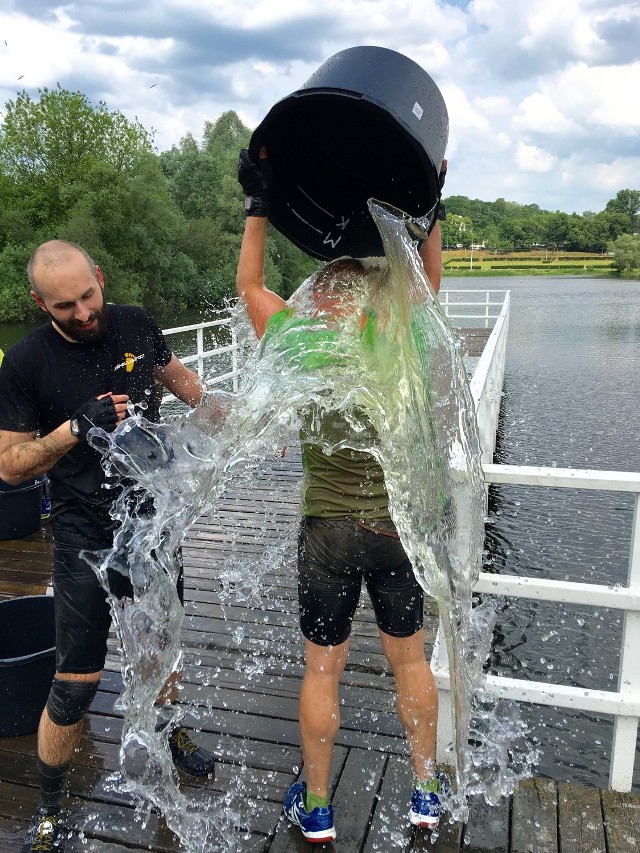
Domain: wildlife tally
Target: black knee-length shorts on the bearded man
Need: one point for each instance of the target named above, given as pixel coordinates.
(82, 613)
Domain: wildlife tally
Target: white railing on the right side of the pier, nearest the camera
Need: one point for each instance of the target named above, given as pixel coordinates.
(623, 704)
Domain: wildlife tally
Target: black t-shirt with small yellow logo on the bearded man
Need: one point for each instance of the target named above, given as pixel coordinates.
(44, 379)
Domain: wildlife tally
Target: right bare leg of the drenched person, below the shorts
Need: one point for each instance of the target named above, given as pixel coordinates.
(417, 698)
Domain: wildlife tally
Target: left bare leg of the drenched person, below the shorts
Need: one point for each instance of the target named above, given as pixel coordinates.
(320, 711)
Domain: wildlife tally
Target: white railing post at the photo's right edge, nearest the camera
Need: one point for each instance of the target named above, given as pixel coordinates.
(625, 729)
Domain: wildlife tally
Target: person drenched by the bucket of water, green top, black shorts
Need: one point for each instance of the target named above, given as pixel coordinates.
(346, 533)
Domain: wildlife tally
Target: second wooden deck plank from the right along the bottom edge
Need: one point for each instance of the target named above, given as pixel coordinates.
(580, 828)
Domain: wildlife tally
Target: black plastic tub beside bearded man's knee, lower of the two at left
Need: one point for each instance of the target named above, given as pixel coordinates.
(27, 662)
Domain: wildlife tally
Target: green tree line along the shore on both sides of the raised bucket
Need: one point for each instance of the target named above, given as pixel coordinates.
(166, 227)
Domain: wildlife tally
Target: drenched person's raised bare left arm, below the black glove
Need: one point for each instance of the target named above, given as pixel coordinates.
(260, 302)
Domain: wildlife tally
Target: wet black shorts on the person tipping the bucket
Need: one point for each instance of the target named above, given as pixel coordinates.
(334, 557)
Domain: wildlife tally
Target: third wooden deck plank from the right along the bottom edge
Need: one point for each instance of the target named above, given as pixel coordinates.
(535, 817)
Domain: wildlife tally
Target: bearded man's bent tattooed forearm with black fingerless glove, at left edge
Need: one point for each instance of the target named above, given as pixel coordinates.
(23, 455)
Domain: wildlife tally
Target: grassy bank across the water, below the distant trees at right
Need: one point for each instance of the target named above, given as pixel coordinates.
(481, 262)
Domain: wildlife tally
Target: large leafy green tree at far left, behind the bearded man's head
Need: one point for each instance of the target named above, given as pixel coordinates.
(83, 173)
